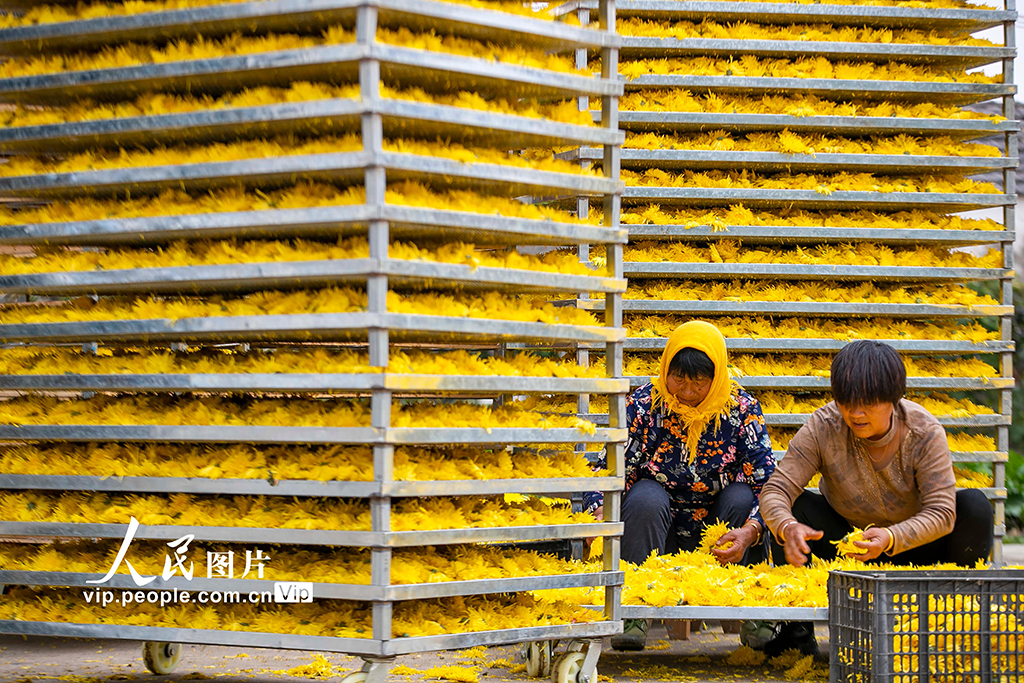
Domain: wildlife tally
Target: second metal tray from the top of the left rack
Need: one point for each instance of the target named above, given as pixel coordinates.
(437, 72)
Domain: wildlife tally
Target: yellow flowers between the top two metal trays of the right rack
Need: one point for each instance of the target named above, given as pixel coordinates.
(796, 32)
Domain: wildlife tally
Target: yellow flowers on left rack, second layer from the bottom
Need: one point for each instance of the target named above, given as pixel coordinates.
(322, 565)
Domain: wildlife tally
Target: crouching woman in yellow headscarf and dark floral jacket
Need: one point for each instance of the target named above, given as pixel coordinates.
(698, 453)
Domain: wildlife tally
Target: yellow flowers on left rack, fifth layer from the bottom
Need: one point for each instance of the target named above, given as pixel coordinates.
(143, 410)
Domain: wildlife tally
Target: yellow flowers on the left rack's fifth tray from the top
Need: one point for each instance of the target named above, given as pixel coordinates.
(302, 196)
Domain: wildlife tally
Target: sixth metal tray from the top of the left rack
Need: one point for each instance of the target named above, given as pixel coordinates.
(402, 275)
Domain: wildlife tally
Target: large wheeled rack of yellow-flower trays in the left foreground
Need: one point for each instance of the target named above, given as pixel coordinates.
(257, 271)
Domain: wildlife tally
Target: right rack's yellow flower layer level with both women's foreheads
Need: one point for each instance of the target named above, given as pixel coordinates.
(798, 365)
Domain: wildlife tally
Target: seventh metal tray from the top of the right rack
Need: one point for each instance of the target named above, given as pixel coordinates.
(775, 235)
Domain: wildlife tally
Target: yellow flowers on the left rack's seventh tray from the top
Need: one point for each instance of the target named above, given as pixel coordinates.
(332, 301)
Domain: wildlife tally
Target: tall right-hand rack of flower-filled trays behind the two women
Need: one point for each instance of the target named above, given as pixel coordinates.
(796, 174)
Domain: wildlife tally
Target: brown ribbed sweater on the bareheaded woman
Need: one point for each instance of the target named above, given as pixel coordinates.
(914, 495)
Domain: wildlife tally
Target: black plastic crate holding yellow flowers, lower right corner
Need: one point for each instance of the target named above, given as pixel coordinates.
(921, 627)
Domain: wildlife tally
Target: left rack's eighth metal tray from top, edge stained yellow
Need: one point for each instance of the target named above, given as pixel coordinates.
(316, 383)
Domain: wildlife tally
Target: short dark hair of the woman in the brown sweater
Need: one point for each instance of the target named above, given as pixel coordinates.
(868, 372)
